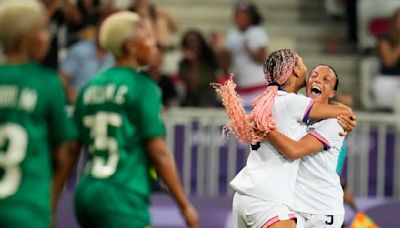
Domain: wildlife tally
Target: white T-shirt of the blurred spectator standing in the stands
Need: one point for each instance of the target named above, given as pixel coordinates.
(248, 72)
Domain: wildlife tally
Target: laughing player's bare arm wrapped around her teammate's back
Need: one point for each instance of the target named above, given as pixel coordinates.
(293, 150)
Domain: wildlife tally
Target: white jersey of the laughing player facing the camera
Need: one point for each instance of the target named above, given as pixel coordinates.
(318, 189)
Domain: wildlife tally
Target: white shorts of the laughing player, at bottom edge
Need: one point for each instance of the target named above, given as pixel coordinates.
(305, 220)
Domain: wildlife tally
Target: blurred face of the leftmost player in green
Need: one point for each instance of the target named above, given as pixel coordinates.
(37, 42)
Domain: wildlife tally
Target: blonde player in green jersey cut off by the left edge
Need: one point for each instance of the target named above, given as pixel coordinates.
(33, 122)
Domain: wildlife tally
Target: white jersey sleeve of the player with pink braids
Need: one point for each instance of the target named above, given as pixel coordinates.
(299, 107)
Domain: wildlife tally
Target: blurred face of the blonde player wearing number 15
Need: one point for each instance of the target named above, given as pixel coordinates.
(145, 45)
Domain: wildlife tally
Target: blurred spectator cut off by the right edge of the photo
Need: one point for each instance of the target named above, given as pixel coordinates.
(387, 84)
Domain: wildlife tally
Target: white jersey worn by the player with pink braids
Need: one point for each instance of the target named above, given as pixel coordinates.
(268, 175)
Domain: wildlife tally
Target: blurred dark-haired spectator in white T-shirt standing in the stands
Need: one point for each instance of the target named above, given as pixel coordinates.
(247, 44)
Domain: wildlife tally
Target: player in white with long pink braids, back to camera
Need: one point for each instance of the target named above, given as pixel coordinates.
(265, 187)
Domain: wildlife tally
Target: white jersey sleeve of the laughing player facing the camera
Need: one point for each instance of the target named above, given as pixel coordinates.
(327, 132)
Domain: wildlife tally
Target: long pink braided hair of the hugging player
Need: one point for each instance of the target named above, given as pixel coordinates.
(253, 127)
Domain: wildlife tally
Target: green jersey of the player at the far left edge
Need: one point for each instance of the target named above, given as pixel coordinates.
(33, 119)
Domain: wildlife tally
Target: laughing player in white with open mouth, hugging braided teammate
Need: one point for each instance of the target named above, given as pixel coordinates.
(318, 198)
